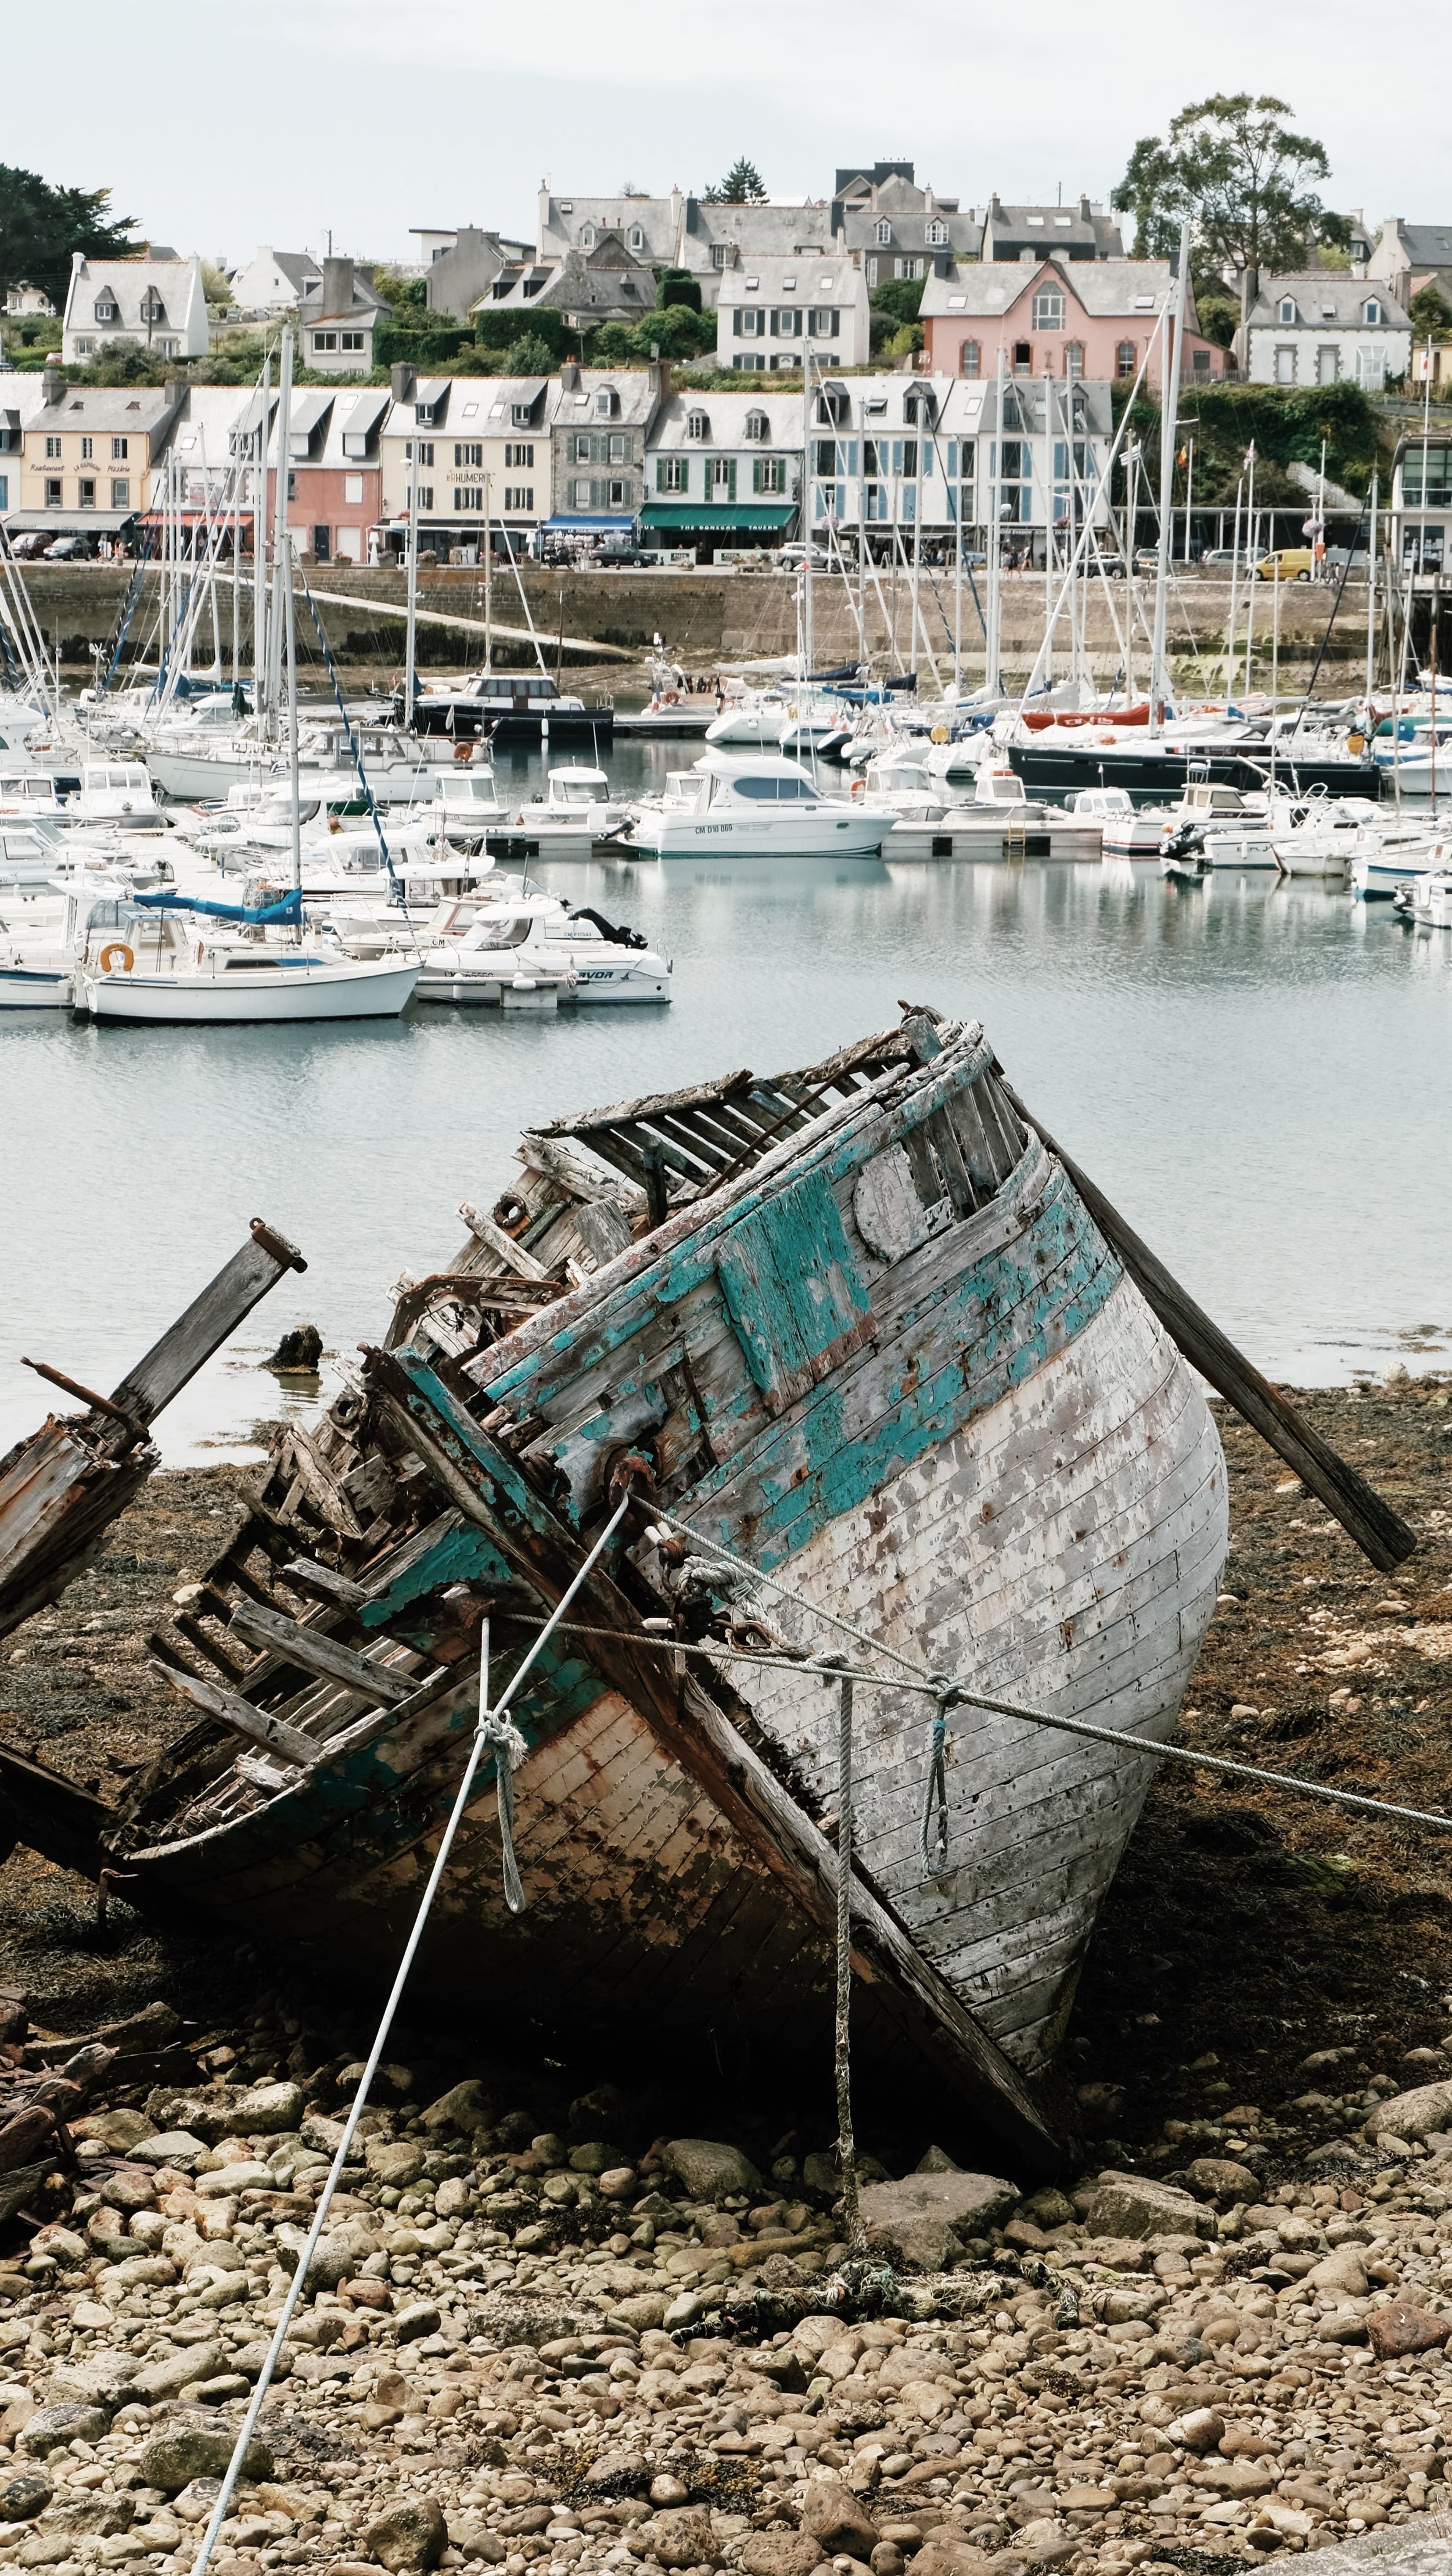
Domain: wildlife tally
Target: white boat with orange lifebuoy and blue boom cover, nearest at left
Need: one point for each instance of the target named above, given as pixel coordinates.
(171, 967)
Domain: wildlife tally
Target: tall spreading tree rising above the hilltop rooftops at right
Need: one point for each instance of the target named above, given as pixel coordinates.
(1234, 166)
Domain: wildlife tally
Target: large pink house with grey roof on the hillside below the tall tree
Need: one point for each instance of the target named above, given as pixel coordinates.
(1059, 318)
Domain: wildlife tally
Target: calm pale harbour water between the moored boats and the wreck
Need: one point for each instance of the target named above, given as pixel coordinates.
(1258, 1073)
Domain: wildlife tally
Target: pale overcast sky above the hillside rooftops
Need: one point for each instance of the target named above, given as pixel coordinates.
(274, 122)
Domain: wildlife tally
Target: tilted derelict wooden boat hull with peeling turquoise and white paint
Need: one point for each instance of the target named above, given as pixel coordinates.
(851, 1323)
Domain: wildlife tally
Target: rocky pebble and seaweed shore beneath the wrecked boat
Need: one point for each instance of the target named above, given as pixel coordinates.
(552, 2327)
